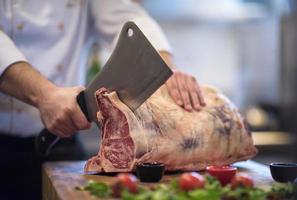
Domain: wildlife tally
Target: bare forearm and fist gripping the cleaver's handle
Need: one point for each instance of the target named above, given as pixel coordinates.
(59, 111)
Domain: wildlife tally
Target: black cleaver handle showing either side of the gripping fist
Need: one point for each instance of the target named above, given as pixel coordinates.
(46, 140)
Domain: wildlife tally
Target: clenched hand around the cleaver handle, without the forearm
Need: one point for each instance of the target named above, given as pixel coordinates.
(60, 113)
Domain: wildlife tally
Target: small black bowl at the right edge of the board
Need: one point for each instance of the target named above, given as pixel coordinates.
(283, 172)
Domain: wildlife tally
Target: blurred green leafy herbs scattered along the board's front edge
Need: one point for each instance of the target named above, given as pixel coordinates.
(212, 191)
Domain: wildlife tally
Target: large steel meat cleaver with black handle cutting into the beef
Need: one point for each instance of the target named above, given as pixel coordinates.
(135, 71)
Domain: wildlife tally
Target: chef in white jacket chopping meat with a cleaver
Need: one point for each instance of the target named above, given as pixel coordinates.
(41, 43)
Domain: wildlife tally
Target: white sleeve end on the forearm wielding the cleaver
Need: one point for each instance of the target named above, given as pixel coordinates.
(9, 53)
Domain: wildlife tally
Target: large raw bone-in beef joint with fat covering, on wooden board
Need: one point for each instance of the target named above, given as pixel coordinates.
(161, 131)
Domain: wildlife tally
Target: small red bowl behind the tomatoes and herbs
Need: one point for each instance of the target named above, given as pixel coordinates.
(224, 174)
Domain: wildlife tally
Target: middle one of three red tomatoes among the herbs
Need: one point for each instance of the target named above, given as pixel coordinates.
(191, 180)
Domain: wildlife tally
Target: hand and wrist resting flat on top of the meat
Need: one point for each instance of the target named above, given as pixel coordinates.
(183, 88)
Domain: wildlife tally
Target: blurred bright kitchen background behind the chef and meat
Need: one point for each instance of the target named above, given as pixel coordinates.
(247, 48)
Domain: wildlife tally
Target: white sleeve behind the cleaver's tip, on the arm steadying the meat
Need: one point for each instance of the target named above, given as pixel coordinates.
(110, 15)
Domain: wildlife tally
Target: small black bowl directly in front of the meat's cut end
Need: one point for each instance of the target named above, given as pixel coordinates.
(150, 172)
